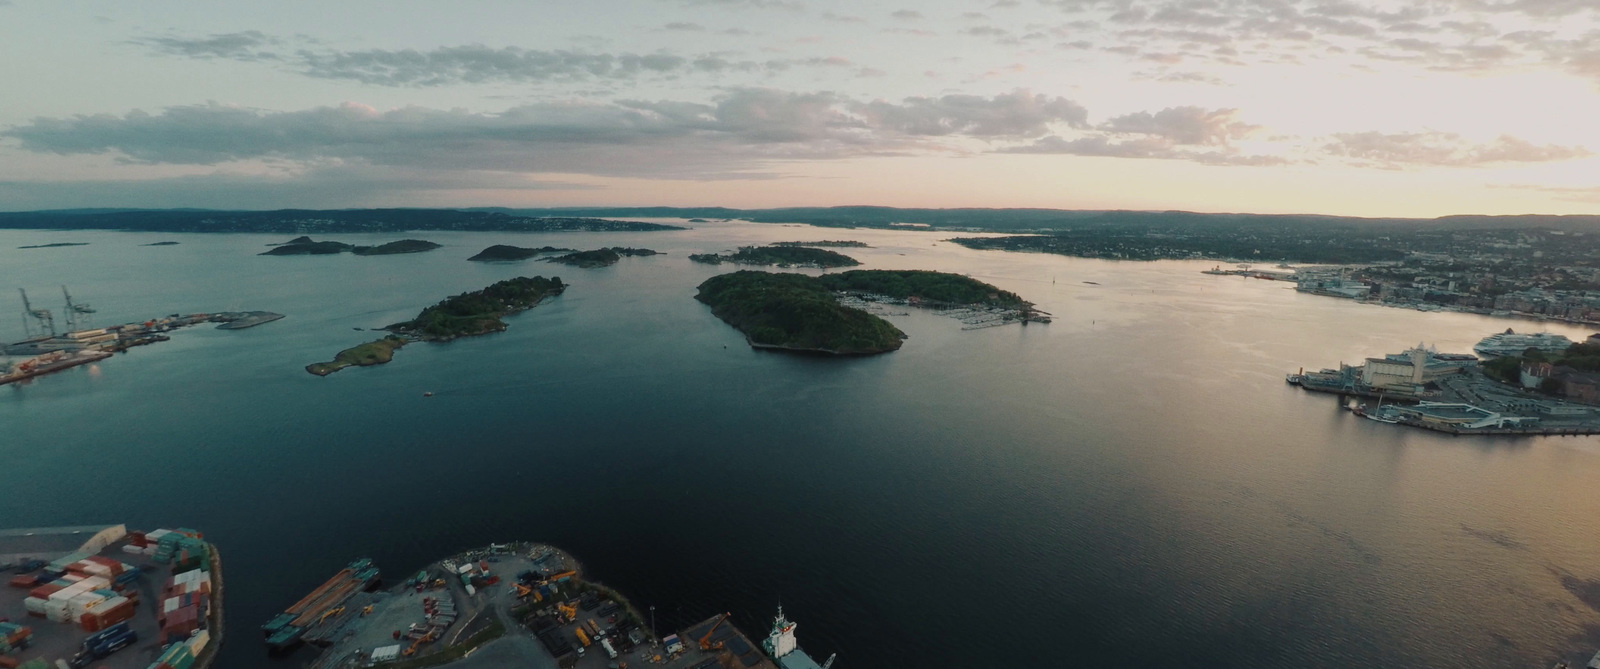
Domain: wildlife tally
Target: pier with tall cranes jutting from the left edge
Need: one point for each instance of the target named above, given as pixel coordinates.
(46, 351)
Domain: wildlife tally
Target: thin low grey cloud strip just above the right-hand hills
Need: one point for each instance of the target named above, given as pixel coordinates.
(1442, 150)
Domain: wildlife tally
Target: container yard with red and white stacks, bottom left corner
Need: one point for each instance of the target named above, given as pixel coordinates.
(105, 596)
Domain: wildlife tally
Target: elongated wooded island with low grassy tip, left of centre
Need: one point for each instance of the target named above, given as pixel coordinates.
(466, 314)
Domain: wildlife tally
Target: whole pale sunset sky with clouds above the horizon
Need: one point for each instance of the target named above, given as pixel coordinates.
(1361, 108)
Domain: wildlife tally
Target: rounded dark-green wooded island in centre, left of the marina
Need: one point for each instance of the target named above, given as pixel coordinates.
(796, 313)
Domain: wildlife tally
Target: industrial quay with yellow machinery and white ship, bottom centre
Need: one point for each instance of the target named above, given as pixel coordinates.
(510, 606)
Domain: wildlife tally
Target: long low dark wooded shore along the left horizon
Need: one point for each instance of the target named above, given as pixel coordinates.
(314, 222)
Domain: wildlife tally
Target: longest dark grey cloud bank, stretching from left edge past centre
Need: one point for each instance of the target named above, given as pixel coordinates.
(734, 135)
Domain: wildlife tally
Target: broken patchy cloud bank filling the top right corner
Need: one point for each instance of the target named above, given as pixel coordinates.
(1455, 36)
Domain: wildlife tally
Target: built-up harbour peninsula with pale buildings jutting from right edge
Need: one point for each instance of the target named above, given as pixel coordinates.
(1452, 395)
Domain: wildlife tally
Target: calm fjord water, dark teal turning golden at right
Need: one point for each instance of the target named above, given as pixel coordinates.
(1132, 486)
